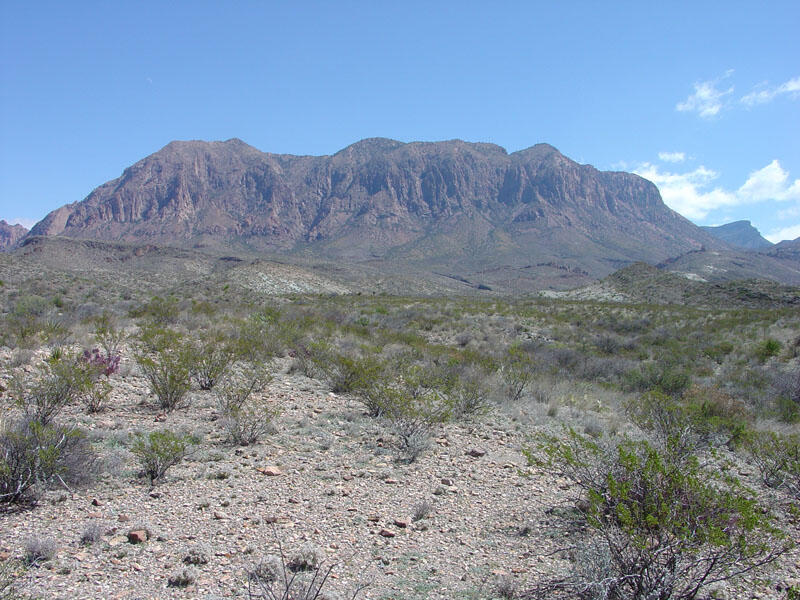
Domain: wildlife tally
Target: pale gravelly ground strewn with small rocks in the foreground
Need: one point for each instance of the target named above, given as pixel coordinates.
(467, 514)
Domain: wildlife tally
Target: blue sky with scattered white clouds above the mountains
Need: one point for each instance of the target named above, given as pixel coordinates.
(703, 98)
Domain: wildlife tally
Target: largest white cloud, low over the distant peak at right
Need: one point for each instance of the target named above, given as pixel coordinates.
(692, 194)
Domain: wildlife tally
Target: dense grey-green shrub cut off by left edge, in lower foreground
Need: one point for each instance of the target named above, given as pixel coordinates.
(33, 456)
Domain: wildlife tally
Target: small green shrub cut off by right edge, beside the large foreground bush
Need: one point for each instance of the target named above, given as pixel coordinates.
(777, 457)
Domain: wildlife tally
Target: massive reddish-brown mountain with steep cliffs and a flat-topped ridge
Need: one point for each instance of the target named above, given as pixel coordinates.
(463, 209)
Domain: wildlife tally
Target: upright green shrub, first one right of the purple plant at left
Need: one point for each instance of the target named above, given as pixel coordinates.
(164, 358)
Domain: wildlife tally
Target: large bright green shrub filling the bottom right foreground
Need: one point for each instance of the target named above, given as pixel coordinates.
(666, 528)
